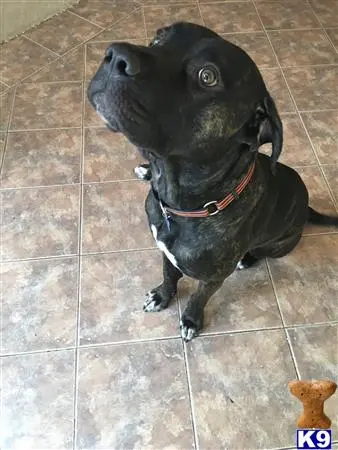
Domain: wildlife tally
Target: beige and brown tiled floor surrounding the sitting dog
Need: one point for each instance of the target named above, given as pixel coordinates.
(82, 365)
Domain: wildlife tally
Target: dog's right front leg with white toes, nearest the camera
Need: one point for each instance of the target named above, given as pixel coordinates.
(192, 317)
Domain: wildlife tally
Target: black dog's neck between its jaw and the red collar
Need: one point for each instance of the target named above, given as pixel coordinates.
(187, 185)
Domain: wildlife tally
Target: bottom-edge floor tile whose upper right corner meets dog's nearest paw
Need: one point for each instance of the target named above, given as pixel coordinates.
(134, 396)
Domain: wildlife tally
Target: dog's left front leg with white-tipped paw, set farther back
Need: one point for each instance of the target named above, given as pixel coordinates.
(159, 297)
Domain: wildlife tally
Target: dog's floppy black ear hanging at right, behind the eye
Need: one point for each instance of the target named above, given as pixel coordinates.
(271, 130)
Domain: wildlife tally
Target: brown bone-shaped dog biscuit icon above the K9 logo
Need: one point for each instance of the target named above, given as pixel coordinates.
(313, 394)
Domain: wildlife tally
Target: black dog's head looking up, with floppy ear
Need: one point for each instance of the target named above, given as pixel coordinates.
(186, 94)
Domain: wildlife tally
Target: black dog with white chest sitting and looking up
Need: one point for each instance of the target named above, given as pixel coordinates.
(198, 110)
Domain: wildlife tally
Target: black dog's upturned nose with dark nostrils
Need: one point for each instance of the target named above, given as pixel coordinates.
(123, 60)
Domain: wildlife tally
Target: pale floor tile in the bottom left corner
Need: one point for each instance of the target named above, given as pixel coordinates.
(37, 401)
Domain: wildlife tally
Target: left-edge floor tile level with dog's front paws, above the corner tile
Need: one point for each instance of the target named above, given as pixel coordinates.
(39, 304)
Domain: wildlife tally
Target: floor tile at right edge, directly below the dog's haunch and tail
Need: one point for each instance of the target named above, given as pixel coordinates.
(306, 281)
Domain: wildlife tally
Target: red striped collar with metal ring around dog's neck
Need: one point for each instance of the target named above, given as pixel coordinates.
(214, 207)
